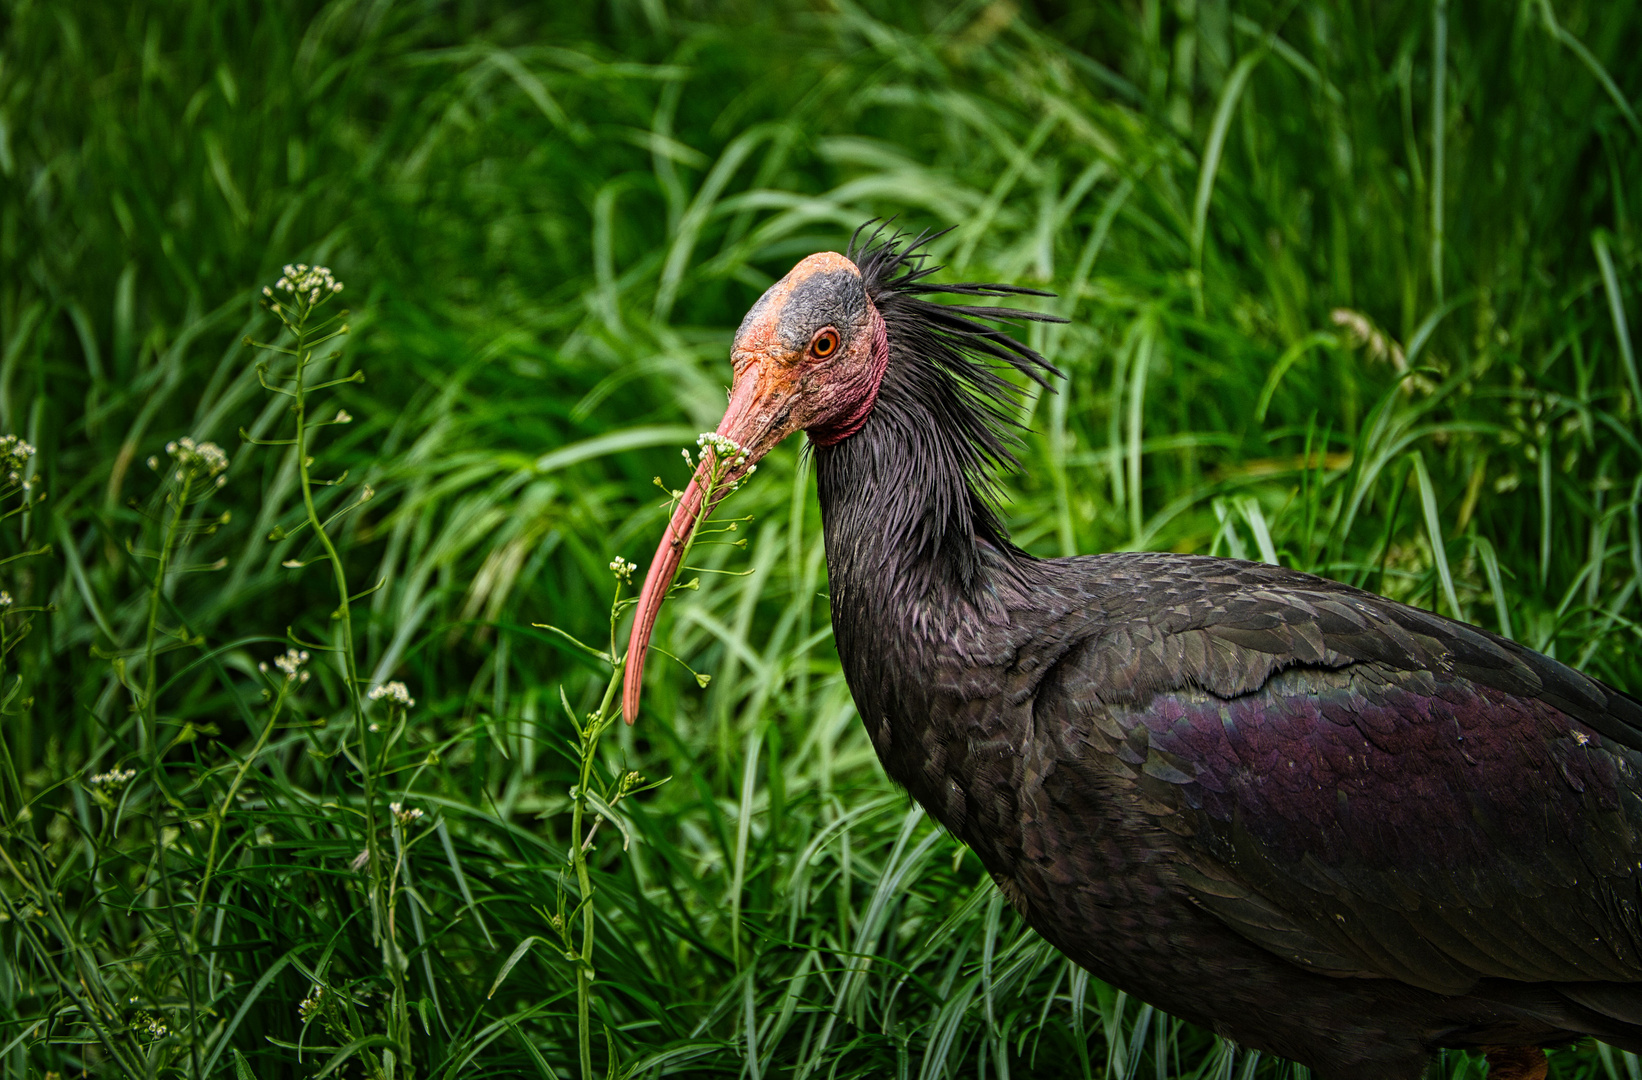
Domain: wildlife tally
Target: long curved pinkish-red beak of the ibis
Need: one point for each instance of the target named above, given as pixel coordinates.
(759, 416)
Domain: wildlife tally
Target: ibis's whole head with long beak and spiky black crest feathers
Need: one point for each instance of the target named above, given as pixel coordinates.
(812, 355)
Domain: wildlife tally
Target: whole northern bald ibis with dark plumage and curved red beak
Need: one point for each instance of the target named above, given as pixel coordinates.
(1316, 821)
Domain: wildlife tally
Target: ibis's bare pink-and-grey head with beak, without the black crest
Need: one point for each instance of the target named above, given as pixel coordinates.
(809, 357)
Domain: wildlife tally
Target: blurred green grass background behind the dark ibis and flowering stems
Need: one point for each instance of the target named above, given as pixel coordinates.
(1352, 288)
